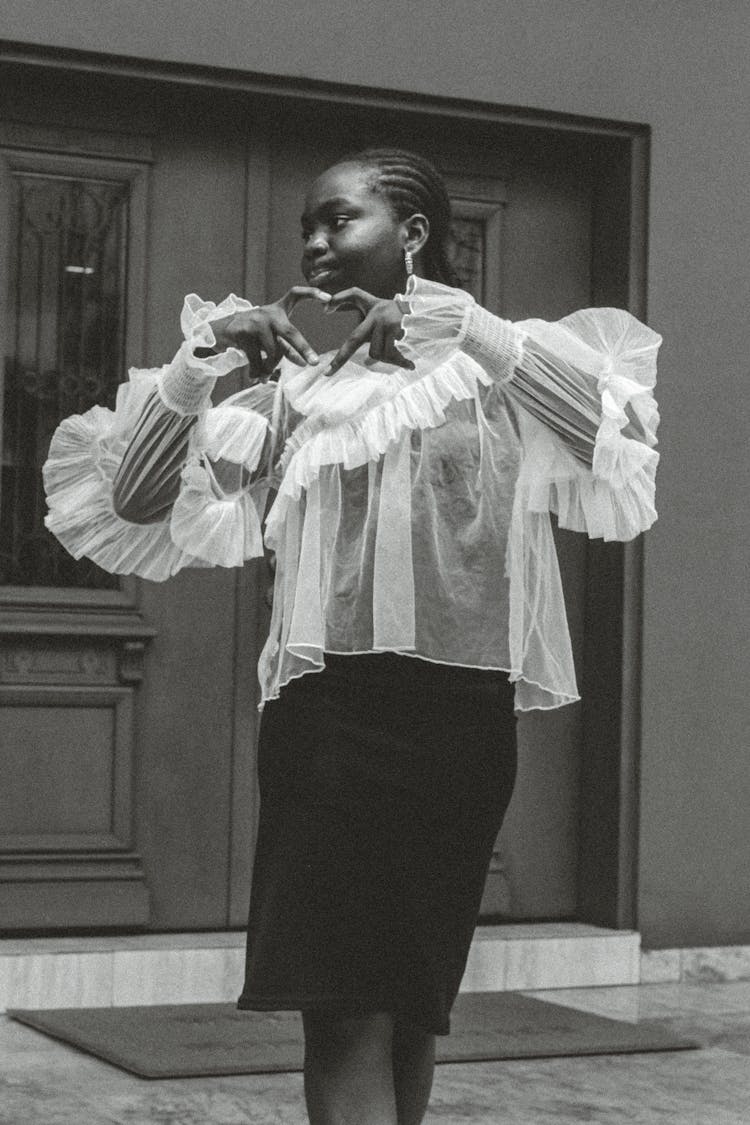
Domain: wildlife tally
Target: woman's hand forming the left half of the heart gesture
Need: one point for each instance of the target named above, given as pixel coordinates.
(267, 336)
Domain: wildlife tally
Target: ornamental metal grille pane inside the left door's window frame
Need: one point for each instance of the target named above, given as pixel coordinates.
(66, 320)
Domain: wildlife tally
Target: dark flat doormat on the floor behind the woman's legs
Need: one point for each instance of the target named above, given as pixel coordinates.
(200, 1040)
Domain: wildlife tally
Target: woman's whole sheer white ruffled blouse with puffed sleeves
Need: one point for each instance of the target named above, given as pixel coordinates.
(412, 508)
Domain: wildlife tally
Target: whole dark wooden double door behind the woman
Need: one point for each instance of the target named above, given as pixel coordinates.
(129, 709)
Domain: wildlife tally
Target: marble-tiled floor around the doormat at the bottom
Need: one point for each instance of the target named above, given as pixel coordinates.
(43, 1083)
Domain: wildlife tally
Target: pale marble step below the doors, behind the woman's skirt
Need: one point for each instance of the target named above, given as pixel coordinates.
(70, 973)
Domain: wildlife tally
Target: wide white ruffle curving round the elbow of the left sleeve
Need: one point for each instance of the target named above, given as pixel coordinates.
(205, 528)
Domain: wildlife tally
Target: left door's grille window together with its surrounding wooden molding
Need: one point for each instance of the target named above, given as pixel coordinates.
(52, 311)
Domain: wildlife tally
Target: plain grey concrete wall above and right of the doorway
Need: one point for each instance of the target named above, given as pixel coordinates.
(682, 68)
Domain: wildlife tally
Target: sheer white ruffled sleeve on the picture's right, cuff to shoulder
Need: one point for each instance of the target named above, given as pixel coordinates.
(585, 390)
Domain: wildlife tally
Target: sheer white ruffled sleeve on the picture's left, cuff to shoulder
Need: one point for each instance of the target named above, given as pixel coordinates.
(165, 481)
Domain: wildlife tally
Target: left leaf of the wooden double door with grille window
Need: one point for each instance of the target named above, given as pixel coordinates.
(125, 736)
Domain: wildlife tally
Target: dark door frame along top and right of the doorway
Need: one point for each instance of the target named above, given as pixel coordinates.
(612, 662)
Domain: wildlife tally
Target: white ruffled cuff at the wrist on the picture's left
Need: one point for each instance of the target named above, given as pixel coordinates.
(186, 385)
